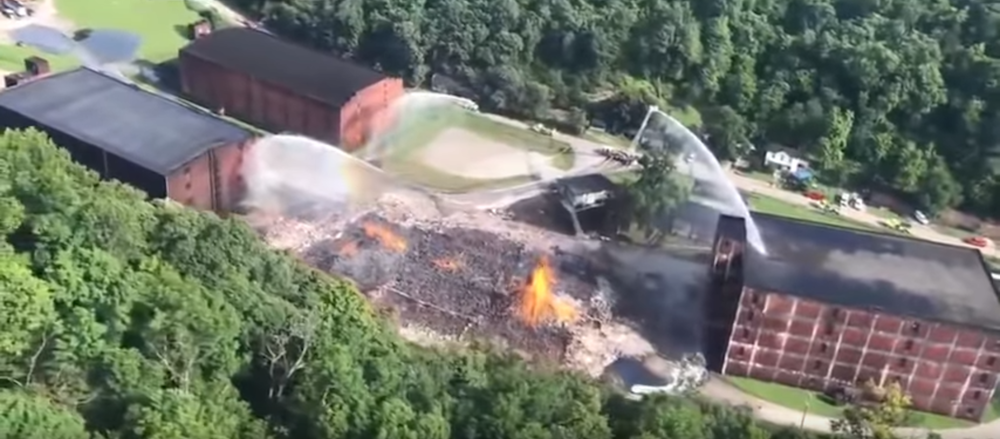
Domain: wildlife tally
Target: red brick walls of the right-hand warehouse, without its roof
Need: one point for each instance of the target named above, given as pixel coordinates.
(945, 367)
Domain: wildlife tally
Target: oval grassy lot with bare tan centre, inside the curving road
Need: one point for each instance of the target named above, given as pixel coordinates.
(414, 152)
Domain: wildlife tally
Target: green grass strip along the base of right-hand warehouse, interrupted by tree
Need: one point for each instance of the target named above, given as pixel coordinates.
(811, 402)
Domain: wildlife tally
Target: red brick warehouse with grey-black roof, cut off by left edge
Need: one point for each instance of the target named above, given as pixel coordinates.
(122, 132)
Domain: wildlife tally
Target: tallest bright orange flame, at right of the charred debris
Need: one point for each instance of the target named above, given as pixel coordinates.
(538, 304)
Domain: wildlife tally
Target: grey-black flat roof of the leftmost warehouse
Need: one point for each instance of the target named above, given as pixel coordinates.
(145, 128)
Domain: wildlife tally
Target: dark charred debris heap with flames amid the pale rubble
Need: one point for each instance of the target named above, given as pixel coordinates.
(465, 283)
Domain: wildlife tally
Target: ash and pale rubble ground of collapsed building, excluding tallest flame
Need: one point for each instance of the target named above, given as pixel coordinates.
(457, 275)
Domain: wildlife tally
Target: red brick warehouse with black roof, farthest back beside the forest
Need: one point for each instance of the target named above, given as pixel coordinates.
(280, 86)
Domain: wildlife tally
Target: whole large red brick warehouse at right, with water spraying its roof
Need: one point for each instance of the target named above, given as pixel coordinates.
(828, 308)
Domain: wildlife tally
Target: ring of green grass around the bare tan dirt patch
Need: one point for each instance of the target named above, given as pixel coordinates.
(413, 135)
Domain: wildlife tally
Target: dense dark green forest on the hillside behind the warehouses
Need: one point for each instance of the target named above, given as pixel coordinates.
(896, 94)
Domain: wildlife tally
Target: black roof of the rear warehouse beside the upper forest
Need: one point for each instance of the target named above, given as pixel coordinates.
(267, 58)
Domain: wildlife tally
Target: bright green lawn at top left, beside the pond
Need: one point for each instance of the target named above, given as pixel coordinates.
(158, 22)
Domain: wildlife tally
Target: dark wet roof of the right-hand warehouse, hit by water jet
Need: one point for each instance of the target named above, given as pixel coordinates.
(867, 270)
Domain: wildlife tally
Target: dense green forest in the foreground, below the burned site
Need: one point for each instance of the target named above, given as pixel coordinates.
(124, 318)
